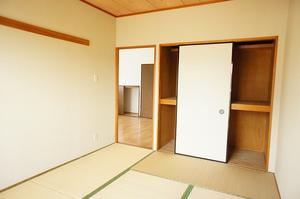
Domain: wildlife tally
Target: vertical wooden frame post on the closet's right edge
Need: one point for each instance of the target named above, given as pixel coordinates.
(272, 100)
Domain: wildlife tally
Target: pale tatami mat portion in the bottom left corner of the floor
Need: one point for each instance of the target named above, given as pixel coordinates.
(31, 190)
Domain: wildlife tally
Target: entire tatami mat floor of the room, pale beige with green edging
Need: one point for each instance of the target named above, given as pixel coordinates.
(160, 175)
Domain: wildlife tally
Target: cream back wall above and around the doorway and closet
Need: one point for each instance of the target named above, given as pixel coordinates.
(226, 20)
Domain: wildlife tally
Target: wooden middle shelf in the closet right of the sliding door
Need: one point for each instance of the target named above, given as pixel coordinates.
(251, 106)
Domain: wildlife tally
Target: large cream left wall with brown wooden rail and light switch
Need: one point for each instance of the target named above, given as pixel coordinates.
(51, 109)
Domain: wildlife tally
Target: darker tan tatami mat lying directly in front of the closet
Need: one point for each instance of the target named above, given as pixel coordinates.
(212, 175)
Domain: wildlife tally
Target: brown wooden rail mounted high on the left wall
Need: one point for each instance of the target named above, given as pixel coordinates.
(42, 31)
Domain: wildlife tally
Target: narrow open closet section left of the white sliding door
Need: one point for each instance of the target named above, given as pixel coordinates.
(167, 97)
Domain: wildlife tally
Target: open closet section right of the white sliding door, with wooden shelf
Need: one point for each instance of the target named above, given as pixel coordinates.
(251, 97)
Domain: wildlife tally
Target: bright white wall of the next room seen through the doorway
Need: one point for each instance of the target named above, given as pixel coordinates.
(130, 61)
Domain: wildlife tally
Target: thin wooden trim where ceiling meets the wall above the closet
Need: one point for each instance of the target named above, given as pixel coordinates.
(172, 8)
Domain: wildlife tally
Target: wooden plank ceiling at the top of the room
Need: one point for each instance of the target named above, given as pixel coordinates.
(121, 8)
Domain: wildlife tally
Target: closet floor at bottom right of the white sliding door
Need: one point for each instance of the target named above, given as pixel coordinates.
(246, 158)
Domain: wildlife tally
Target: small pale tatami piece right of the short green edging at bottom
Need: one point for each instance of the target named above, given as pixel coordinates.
(201, 193)
